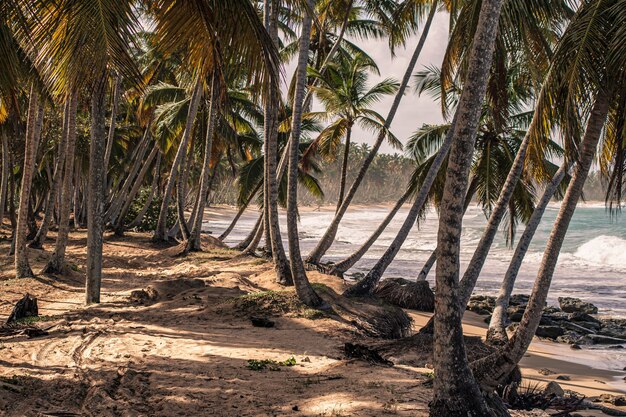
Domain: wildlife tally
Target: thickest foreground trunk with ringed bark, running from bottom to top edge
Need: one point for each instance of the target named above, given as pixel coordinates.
(456, 392)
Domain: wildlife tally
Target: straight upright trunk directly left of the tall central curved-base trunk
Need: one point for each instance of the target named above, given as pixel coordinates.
(281, 264)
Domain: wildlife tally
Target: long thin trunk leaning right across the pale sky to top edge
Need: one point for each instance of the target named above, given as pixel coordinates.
(329, 236)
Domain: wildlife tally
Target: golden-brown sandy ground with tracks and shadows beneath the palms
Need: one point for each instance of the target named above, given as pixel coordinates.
(187, 354)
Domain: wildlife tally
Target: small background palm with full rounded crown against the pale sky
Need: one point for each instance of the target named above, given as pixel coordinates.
(347, 100)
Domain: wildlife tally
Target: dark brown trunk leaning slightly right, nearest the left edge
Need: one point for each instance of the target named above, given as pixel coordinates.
(22, 267)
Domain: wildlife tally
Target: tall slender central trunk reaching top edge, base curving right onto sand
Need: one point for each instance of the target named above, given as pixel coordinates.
(305, 292)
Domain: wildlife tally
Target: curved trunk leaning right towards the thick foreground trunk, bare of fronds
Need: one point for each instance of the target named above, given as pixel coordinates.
(368, 284)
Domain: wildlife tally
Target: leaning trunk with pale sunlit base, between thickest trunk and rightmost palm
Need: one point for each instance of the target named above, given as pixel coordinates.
(497, 326)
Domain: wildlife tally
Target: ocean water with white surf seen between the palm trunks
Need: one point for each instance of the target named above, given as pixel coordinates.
(591, 266)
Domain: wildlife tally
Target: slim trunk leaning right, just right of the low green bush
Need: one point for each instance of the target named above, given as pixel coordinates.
(160, 234)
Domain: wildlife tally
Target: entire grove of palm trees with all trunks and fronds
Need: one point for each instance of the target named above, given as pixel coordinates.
(120, 115)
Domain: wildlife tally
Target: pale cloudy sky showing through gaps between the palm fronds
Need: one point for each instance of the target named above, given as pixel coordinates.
(413, 111)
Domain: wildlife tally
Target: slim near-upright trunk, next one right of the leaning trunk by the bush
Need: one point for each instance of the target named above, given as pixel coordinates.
(193, 242)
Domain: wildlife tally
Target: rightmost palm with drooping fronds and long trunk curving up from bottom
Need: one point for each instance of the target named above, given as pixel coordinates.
(586, 79)
